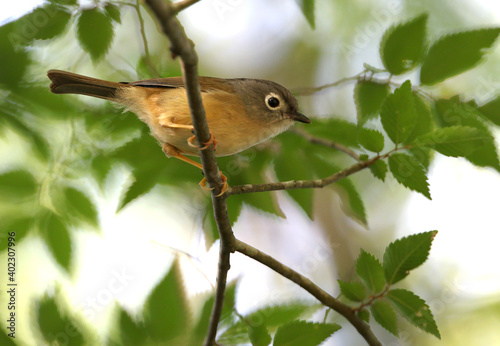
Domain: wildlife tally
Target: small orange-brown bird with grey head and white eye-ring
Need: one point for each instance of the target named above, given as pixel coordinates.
(240, 112)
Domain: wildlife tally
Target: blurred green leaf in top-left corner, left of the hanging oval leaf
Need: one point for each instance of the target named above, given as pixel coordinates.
(50, 21)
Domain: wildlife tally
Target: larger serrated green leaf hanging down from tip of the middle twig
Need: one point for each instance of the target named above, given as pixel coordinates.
(409, 172)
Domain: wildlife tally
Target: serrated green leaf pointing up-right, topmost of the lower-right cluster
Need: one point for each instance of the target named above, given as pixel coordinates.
(406, 254)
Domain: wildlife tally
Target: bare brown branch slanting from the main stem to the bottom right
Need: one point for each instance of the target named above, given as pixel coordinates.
(326, 299)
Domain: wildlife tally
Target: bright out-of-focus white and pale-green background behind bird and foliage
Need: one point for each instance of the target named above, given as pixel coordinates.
(271, 39)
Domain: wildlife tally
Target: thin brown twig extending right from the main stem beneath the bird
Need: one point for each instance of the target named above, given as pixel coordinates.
(302, 184)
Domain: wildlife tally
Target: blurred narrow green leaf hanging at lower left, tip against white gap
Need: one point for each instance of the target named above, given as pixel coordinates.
(56, 235)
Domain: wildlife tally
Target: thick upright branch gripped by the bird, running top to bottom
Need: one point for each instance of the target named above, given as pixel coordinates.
(183, 47)
